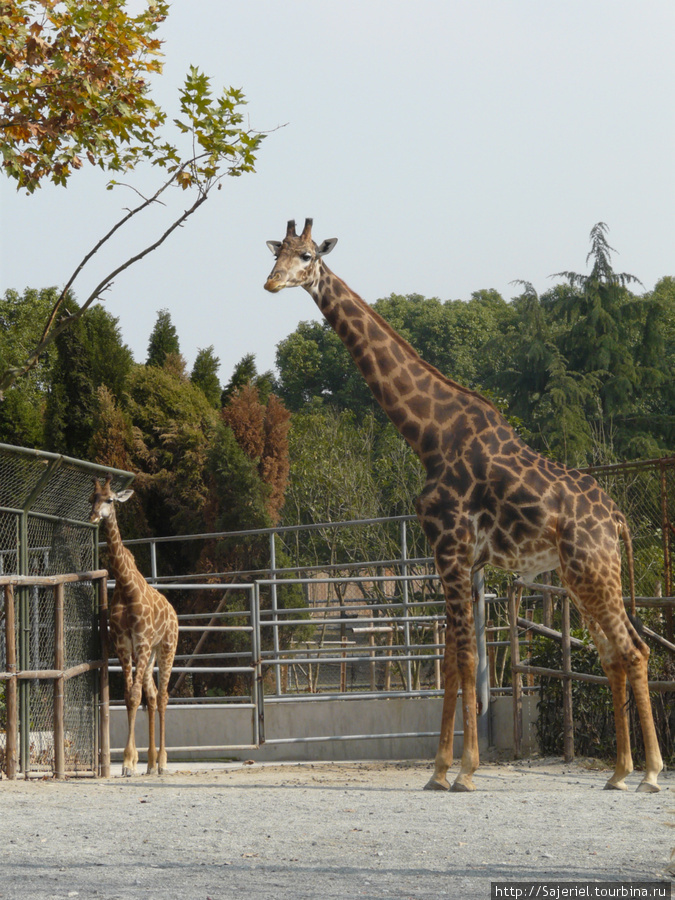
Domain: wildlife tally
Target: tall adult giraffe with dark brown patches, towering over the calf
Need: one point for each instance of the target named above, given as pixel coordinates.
(488, 498)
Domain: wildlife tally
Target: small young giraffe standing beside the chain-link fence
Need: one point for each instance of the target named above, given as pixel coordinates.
(143, 626)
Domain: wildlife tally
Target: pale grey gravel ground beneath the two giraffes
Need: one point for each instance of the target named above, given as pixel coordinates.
(327, 831)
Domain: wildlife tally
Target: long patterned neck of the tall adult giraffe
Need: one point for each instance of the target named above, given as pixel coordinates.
(415, 396)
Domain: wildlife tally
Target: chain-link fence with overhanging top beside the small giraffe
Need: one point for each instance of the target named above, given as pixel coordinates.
(45, 530)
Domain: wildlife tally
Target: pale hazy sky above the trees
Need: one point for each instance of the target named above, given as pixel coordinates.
(449, 146)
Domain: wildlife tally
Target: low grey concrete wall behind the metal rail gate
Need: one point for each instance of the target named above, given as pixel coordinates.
(205, 729)
